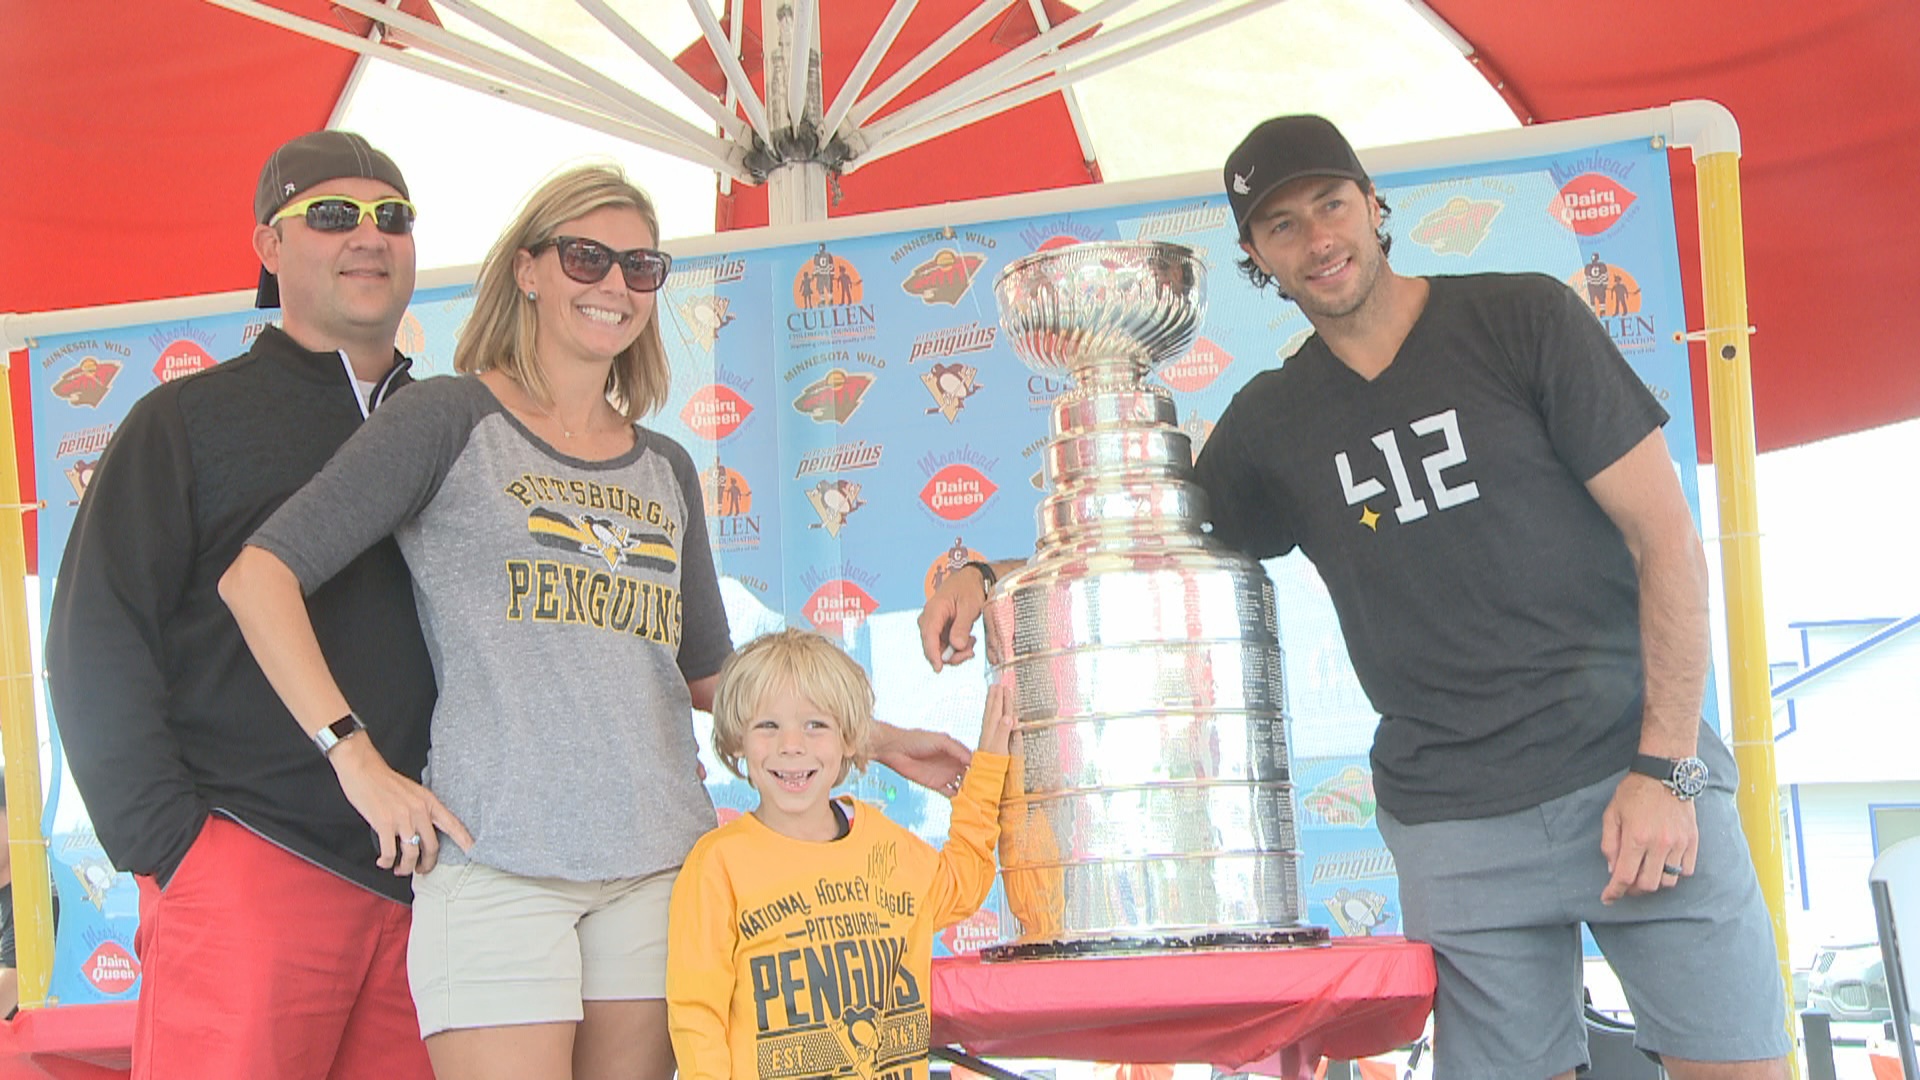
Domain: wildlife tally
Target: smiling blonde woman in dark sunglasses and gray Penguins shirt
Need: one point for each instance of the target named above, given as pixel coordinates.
(571, 606)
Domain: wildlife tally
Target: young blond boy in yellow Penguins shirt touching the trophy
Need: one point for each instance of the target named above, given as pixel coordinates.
(802, 935)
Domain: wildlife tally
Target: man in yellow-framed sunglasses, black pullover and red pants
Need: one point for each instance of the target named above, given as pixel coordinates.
(274, 925)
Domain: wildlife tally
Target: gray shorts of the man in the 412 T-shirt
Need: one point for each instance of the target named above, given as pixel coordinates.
(1502, 900)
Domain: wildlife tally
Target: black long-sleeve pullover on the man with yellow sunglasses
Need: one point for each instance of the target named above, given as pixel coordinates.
(164, 712)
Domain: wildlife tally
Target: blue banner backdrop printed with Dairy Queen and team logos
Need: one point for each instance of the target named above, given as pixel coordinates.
(863, 431)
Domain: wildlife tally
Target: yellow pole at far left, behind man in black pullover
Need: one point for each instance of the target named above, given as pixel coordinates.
(20, 735)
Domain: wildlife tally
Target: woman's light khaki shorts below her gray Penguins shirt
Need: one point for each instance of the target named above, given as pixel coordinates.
(492, 948)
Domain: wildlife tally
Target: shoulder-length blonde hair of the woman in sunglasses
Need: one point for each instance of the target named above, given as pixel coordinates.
(502, 330)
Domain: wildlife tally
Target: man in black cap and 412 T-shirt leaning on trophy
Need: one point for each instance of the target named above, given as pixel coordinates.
(1483, 485)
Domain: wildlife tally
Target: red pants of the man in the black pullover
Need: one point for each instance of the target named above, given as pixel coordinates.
(260, 966)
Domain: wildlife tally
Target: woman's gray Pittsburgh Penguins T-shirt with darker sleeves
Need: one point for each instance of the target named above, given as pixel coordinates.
(565, 606)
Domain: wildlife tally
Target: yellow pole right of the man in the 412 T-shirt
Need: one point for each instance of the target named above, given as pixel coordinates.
(1731, 397)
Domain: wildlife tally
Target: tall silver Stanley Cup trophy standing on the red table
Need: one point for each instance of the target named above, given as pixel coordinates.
(1149, 804)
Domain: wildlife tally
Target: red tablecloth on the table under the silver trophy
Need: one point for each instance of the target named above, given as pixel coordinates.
(1274, 1010)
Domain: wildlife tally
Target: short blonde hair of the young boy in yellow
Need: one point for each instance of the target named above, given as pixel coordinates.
(815, 670)
